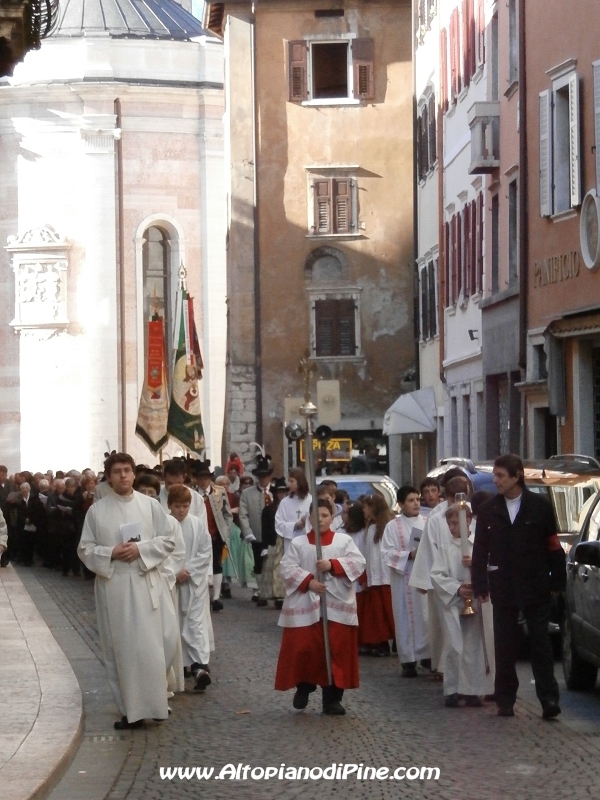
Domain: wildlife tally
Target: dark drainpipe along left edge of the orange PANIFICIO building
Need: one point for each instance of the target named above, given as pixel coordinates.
(523, 218)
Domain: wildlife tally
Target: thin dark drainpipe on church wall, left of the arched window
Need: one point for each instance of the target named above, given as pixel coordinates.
(122, 354)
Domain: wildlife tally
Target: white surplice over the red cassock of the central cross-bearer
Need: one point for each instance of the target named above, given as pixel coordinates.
(304, 608)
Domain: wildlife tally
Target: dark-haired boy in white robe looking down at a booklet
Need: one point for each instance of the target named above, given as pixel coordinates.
(399, 545)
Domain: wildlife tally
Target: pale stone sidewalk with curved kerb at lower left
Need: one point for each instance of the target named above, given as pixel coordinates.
(41, 723)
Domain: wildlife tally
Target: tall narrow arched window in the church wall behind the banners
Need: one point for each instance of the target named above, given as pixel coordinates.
(156, 265)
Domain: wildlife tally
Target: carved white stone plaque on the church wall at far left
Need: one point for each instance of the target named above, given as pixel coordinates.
(40, 262)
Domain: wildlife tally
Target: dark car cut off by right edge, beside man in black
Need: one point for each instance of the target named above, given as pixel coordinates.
(580, 622)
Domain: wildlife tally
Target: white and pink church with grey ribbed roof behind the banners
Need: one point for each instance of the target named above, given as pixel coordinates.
(111, 177)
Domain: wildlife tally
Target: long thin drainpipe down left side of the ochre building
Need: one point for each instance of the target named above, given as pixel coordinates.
(257, 319)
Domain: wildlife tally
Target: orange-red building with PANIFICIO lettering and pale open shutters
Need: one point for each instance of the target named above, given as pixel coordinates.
(562, 387)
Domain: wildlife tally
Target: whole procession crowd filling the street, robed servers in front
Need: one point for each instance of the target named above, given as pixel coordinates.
(176, 539)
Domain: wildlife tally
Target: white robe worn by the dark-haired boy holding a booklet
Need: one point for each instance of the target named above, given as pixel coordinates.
(409, 606)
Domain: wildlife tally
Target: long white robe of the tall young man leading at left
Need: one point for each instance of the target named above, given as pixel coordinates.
(135, 614)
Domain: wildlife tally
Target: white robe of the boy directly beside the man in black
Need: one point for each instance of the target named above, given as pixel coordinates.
(464, 637)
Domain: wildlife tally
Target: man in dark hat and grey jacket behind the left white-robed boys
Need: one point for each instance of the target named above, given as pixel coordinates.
(219, 519)
